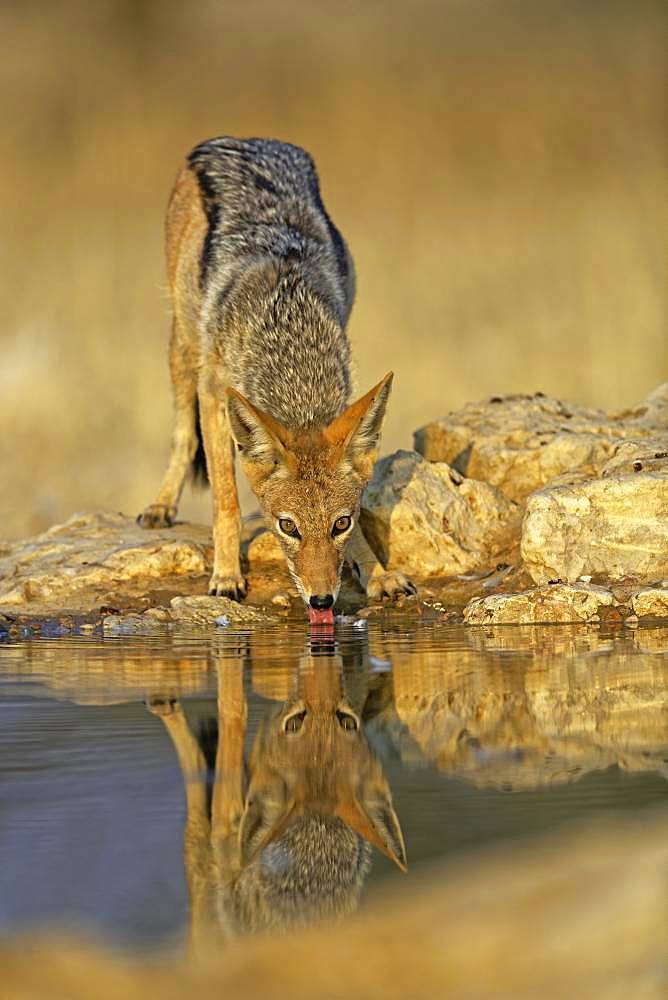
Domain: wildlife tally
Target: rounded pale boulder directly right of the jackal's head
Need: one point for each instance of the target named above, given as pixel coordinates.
(426, 519)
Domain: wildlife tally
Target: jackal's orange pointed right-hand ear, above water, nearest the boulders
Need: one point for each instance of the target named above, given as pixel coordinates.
(356, 431)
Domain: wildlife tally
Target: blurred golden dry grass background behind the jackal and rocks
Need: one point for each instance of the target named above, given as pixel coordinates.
(498, 167)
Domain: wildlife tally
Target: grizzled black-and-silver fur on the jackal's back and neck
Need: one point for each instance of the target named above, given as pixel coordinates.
(277, 279)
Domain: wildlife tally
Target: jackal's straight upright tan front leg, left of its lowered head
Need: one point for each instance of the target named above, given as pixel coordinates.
(227, 580)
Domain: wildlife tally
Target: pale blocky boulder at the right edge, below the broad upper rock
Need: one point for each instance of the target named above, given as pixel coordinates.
(614, 526)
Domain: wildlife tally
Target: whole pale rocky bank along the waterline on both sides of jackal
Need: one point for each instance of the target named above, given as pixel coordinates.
(515, 510)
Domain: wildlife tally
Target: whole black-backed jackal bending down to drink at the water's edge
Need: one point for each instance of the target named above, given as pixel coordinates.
(261, 285)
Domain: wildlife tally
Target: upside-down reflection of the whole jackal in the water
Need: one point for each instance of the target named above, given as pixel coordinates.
(290, 843)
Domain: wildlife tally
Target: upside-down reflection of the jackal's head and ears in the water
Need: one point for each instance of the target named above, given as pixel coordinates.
(311, 761)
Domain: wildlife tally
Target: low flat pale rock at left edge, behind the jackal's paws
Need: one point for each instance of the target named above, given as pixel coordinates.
(91, 553)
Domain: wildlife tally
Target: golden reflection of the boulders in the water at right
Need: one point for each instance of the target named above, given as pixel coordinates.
(527, 708)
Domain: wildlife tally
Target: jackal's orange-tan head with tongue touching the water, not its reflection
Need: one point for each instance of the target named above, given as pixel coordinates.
(310, 483)
